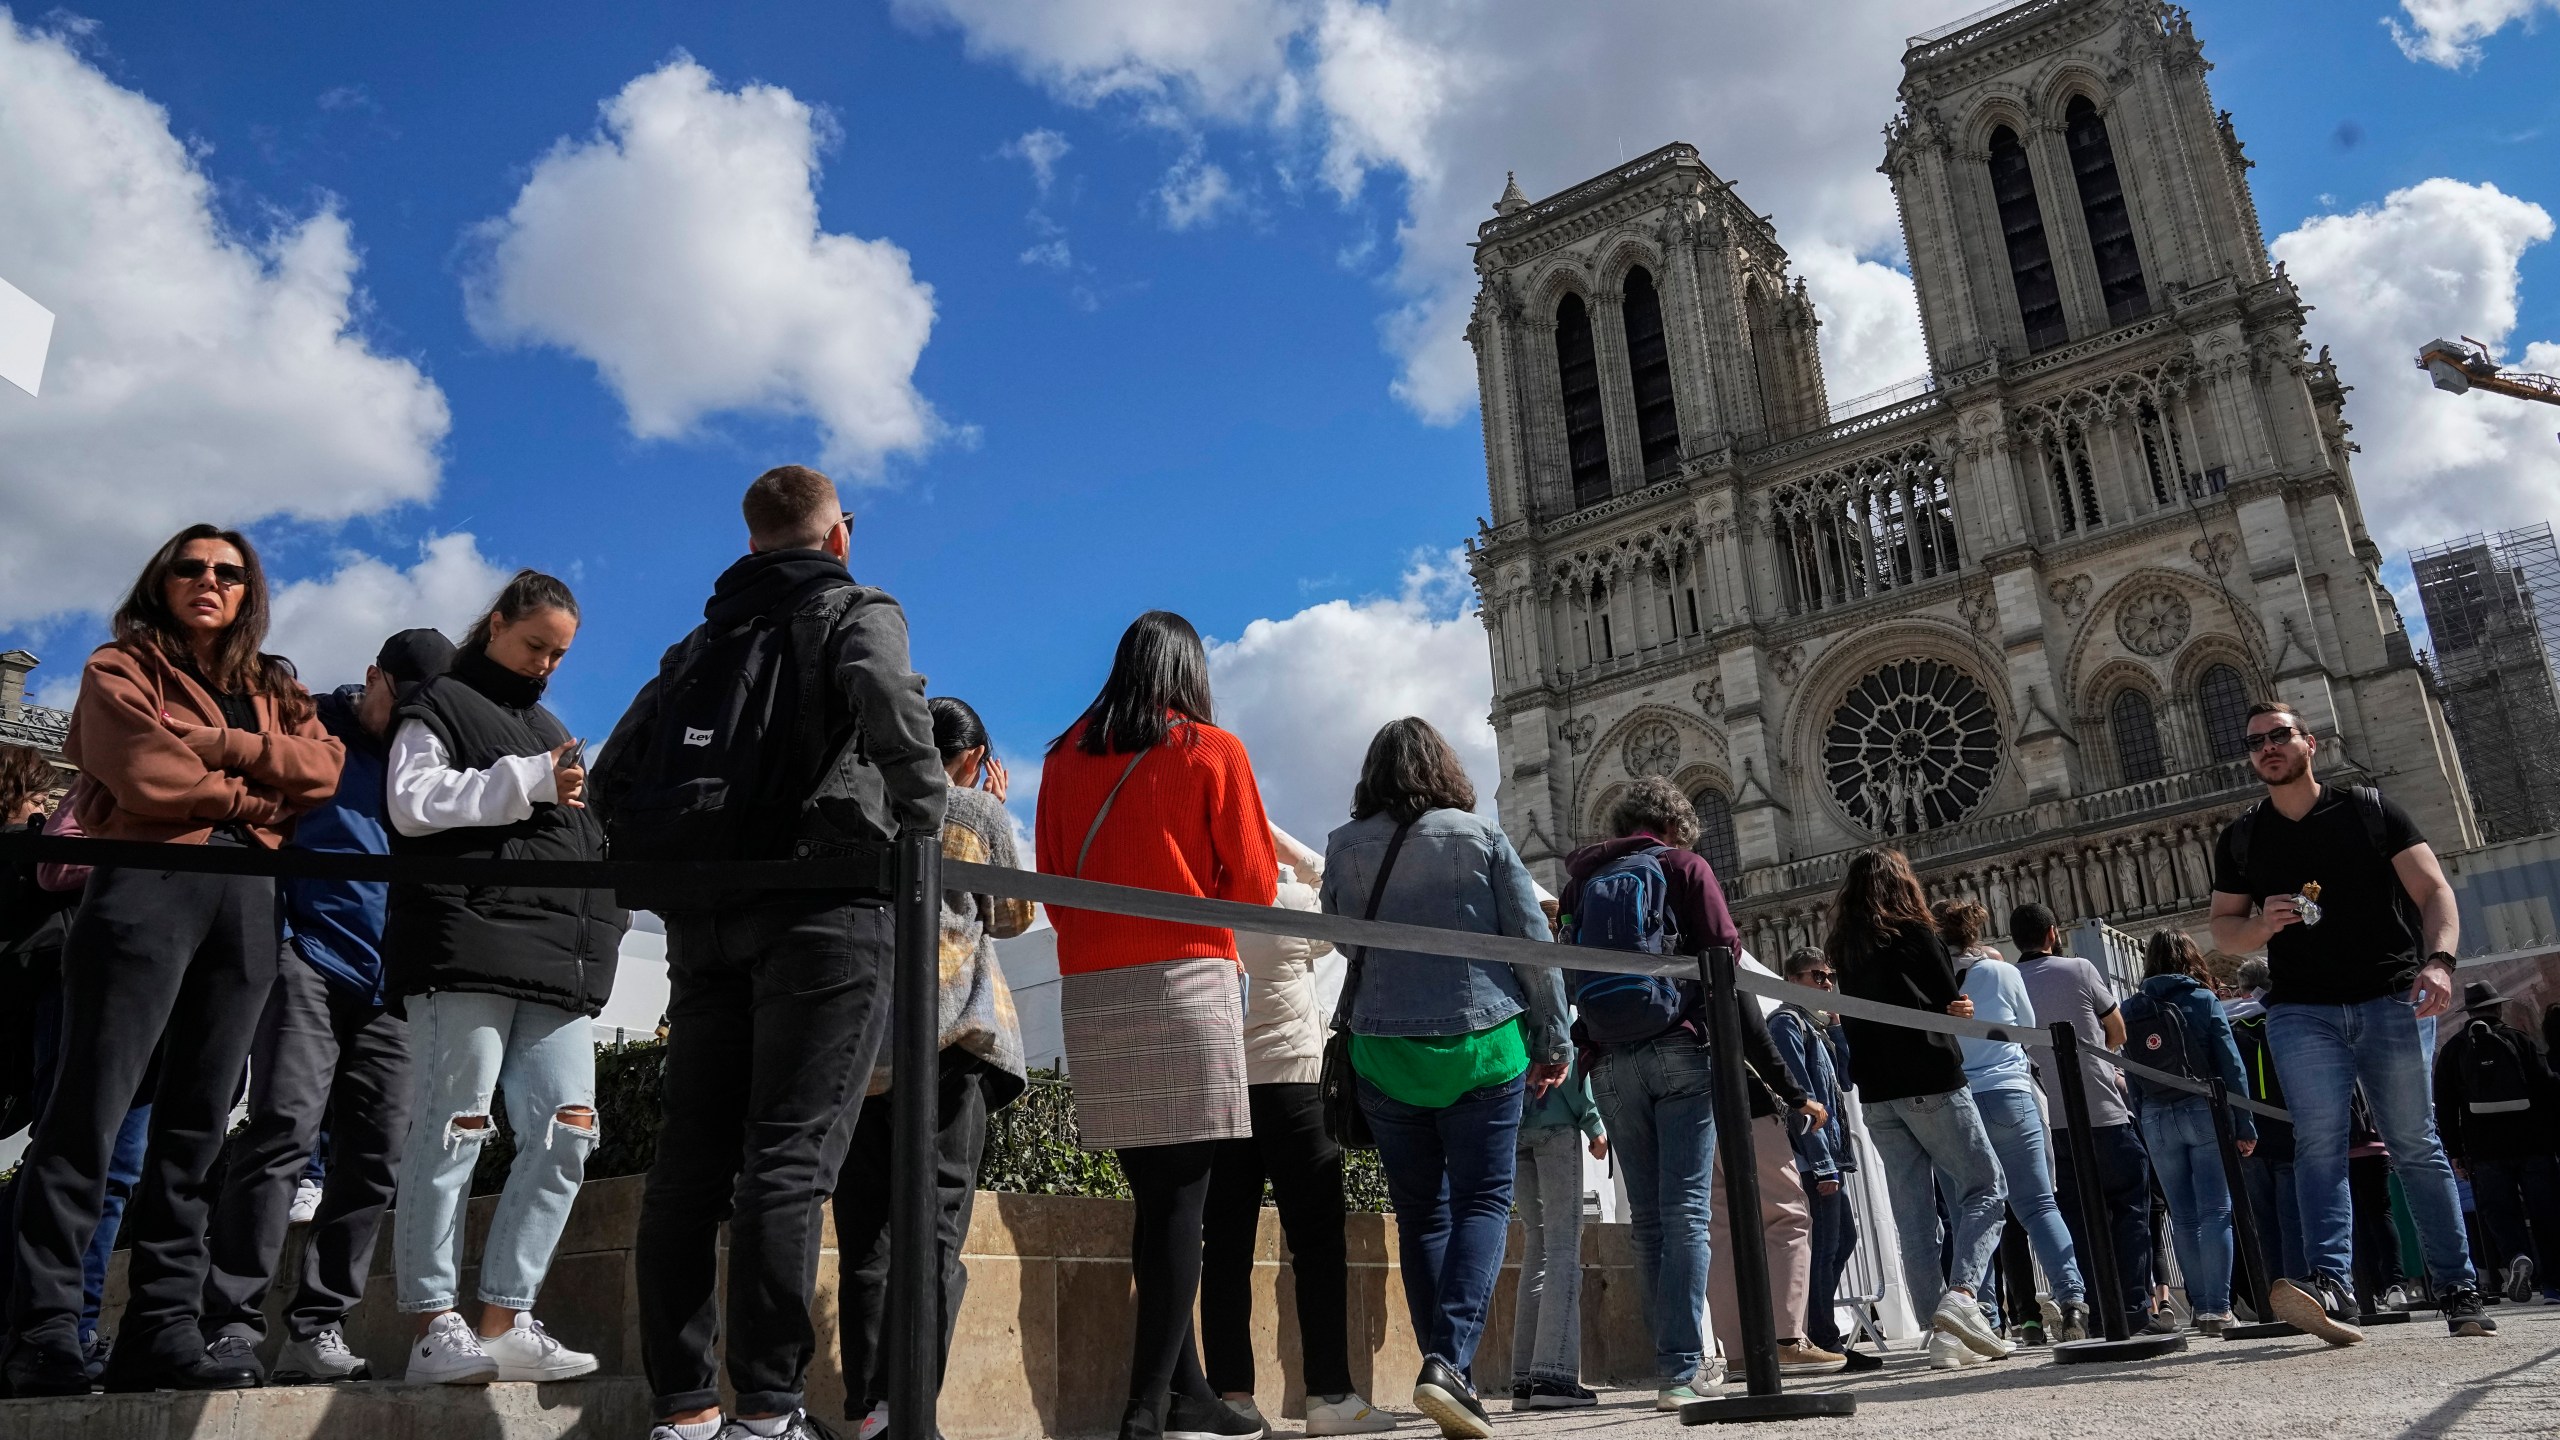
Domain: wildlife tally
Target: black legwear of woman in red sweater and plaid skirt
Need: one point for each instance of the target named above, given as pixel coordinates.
(1171, 1190)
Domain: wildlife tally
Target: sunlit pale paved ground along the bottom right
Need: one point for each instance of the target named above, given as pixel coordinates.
(2405, 1382)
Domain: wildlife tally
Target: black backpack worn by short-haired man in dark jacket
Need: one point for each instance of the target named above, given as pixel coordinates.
(739, 739)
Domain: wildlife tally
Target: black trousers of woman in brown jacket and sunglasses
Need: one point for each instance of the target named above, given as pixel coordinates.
(142, 949)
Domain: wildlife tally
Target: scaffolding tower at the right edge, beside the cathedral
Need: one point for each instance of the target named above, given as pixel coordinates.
(2495, 616)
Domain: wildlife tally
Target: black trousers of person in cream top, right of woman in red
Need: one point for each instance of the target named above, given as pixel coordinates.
(1304, 1170)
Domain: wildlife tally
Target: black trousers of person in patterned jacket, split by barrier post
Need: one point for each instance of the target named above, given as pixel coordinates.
(861, 1221)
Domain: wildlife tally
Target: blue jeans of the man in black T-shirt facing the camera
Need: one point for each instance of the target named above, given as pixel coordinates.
(2323, 1052)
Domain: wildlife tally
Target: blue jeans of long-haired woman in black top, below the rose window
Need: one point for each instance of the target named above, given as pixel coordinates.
(1921, 1141)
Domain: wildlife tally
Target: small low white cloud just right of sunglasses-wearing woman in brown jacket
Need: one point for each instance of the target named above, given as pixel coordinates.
(334, 626)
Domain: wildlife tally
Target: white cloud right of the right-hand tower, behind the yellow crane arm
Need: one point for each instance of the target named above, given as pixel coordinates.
(2433, 260)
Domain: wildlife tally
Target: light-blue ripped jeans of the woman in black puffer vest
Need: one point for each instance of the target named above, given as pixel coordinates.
(467, 1049)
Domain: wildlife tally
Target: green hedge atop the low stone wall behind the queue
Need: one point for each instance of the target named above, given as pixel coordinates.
(1030, 1147)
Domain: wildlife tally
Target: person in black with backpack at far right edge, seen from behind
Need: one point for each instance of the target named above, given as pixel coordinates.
(2495, 1106)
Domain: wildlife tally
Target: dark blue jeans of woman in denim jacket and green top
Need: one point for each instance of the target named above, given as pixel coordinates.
(1450, 1182)
